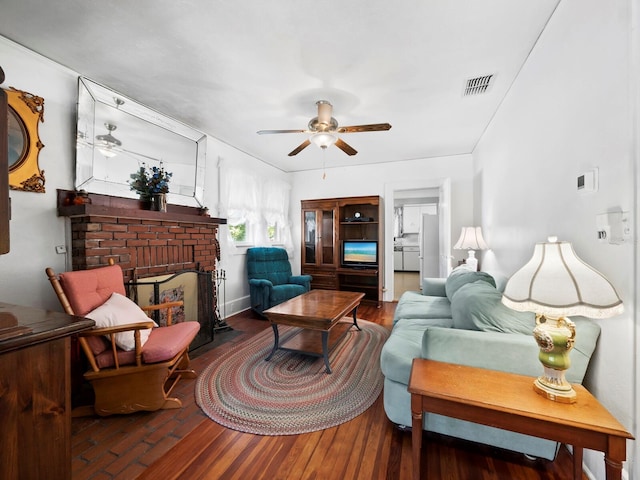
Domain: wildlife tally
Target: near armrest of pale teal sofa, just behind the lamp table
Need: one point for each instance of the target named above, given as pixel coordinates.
(506, 352)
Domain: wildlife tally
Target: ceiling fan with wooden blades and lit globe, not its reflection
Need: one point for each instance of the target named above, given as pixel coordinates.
(324, 129)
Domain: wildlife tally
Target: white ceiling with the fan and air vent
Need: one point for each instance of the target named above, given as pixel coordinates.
(233, 67)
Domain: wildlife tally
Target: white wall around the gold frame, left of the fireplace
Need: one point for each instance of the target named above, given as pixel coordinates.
(35, 228)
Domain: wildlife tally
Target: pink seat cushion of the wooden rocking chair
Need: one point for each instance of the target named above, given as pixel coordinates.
(163, 344)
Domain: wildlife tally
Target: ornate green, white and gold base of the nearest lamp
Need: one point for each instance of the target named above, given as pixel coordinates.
(555, 337)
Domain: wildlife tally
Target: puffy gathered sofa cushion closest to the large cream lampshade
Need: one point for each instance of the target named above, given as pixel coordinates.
(478, 306)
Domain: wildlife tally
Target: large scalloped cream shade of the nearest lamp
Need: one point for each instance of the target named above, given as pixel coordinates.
(556, 283)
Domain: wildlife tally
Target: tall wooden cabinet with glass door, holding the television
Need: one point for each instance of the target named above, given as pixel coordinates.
(326, 224)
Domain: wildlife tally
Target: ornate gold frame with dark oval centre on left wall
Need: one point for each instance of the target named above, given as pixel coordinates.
(25, 112)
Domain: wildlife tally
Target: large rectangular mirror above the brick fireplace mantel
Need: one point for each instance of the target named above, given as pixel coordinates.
(117, 135)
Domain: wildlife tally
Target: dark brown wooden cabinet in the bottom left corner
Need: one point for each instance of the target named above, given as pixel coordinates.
(35, 391)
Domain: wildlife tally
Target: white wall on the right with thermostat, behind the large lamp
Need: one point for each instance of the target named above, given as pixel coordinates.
(569, 111)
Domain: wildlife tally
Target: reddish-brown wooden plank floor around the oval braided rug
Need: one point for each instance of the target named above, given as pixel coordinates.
(185, 444)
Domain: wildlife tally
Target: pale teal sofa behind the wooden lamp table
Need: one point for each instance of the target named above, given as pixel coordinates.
(462, 320)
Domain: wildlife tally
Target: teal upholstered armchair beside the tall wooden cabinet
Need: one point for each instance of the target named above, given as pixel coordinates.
(270, 278)
